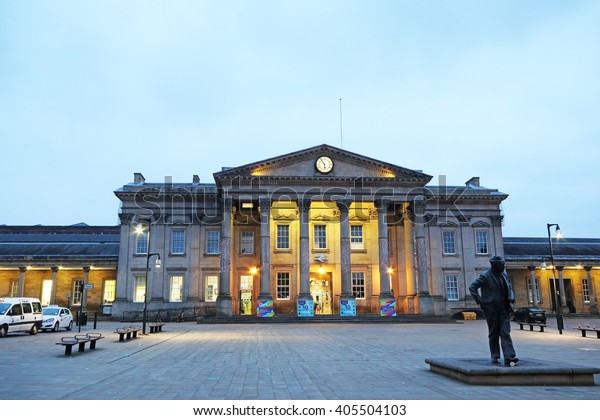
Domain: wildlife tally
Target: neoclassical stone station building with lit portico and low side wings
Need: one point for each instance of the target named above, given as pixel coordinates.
(320, 231)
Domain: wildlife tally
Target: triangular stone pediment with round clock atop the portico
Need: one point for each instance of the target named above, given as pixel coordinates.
(343, 165)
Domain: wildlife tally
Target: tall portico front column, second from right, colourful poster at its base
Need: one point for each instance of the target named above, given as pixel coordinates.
(387, 302)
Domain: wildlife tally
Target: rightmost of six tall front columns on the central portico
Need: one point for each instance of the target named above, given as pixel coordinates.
(424, 299)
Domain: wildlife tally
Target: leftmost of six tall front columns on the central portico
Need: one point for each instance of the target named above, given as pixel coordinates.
(224, 305)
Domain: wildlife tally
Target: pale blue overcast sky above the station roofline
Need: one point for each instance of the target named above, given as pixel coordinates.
(93, 91)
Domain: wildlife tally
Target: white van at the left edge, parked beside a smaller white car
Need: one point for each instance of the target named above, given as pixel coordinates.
(20, 314)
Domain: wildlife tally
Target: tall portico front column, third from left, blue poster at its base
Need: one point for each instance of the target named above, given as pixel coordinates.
(305, 300)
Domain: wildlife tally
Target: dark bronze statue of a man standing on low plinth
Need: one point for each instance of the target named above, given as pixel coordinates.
(495, 301)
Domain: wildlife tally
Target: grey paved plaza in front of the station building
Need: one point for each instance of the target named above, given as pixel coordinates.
(281, 361)
